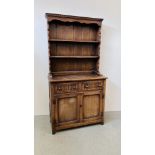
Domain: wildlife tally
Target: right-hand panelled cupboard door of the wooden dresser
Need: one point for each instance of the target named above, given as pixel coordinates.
(92, 105)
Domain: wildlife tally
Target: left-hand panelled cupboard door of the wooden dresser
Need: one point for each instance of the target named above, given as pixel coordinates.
(67, 109)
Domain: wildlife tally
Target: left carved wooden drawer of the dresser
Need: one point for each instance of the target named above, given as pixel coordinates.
(66, 87)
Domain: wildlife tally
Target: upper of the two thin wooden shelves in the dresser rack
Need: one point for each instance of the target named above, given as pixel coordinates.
(73, 41)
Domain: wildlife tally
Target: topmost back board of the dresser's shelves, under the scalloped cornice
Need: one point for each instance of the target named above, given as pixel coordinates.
(72, 31)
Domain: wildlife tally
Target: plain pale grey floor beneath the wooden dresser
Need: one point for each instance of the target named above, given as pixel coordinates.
(91, 140)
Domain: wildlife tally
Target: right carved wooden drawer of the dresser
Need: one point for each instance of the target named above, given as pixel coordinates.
(92, 85)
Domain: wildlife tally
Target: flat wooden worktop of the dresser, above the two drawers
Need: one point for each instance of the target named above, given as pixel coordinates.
(64, 78)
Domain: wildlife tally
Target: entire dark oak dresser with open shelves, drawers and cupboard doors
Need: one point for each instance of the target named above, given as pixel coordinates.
(76, 87)
